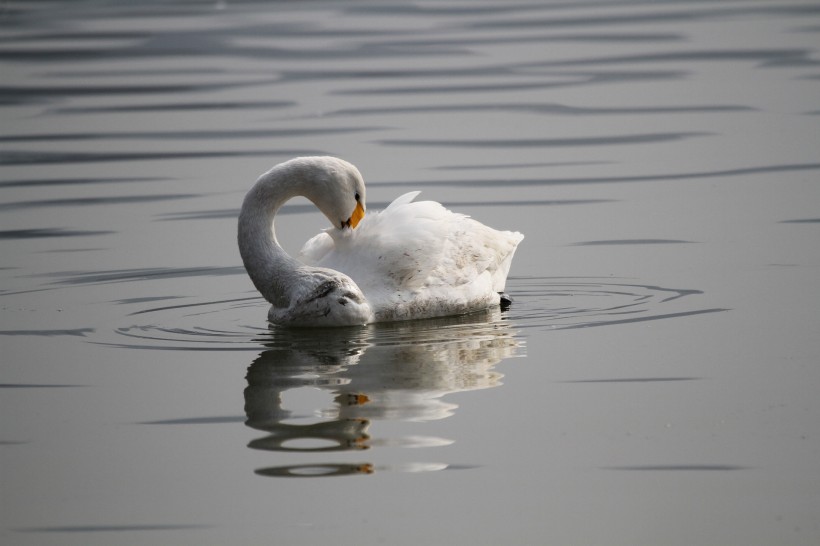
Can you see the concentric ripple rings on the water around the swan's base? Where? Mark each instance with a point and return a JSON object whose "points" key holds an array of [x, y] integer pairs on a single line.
{"points": [[554, 303]]}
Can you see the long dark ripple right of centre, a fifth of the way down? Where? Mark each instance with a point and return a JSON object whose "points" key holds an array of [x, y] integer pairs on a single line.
{"points": [[538, 108]]}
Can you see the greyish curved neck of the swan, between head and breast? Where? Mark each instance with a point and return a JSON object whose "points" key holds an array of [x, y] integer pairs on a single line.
{"points": [[271, 269]]}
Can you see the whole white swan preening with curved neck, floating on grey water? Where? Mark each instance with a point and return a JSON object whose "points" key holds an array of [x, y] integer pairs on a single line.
{"points": [[413, 260]]}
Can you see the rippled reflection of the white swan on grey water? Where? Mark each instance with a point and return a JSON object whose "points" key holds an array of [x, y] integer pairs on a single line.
{"points": [[387, 372]]}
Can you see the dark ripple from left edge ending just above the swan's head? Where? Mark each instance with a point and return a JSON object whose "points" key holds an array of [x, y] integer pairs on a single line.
{"points": [[14, 158]]}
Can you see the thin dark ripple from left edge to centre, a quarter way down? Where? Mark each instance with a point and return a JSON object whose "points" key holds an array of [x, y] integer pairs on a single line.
{"points": [[187, 135]]}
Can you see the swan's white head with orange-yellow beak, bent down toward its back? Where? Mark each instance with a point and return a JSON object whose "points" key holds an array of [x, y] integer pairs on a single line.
{"points": [[335, 187]]}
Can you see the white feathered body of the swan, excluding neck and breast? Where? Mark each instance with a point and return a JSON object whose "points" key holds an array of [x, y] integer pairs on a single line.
{"points": [[419, 260]]}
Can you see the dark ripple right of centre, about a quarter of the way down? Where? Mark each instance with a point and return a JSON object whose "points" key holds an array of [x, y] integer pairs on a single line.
{"points": [[650, 138]]}
